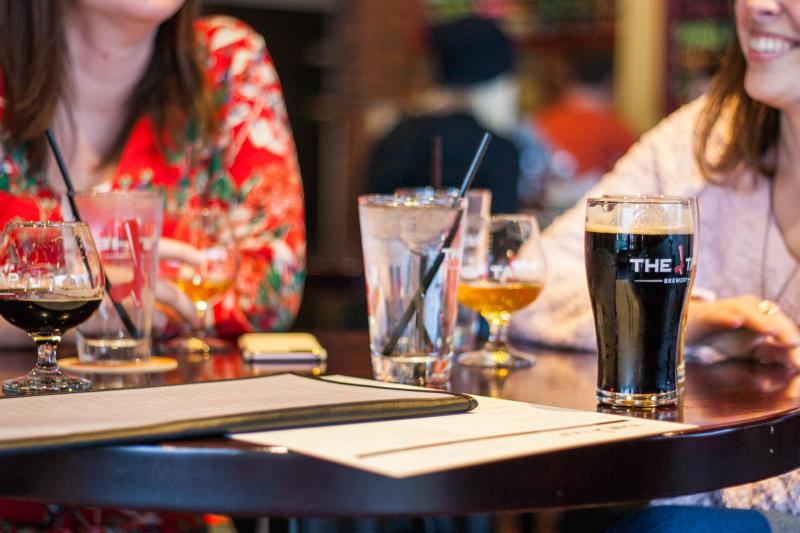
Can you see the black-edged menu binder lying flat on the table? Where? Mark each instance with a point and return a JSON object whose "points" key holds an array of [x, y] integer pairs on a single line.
{"points": [[210, 408]]}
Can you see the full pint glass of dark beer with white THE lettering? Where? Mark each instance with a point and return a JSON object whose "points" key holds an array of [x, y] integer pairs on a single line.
{"points": [[639, 266]]}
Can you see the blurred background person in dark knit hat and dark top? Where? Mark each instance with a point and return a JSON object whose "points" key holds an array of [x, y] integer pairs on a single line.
{"points": [[476, 92]]}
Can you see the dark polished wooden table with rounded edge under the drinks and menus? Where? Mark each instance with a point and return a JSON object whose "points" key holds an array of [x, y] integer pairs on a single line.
{"points": [[749, 429]]}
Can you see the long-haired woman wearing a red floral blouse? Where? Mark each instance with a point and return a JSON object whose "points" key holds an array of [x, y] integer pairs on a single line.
{"points": [[143, 94]]}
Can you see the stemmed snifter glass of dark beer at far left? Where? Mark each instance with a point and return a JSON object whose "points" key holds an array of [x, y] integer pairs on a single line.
{"points": [[50, 281]]}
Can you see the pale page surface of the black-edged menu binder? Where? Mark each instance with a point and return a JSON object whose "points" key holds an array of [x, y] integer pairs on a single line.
{"points": [[70, 414]]}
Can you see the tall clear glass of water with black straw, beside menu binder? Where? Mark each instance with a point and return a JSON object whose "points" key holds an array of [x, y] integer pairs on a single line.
{"points": [[402, 239]]}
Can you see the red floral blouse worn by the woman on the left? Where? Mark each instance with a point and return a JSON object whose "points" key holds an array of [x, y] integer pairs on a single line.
{"points": [[250, 167]]}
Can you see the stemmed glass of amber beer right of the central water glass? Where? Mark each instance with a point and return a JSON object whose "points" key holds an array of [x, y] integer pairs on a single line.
{"points": [[513, 278]]}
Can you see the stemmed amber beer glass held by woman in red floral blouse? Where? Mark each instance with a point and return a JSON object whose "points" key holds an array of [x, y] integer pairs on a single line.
{"points": [[204, 273]]}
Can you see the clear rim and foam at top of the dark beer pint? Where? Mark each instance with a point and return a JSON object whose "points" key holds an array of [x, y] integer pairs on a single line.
{"points": [[640, 214]]}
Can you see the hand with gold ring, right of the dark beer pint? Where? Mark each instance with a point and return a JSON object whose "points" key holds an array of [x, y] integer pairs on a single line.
{"points": [[745, 326]]}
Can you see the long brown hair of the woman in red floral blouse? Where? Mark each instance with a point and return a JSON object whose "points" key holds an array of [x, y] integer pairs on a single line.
{"points": [[33, 63]]}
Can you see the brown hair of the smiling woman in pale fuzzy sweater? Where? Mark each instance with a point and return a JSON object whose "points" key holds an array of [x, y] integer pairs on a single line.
{"points": [[752, 126]]}
